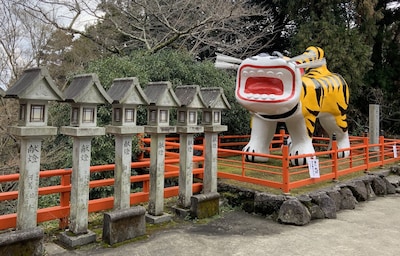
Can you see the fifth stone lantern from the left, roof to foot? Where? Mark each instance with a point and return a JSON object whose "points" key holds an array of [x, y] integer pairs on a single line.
{"points": [[191, 102]]}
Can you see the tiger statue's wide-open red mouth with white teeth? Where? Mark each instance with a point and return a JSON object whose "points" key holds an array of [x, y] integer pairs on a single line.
{"points": [[265, 84]]}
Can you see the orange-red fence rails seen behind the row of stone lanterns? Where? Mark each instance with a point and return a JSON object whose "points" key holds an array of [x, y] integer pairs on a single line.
{"points": [[61, 211]]}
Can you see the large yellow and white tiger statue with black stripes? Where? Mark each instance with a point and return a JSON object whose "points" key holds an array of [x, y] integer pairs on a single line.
{"points": [[295, 91]]}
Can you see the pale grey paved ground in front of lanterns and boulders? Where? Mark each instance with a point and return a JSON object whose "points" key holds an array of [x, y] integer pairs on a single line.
{"points": [[372, 228]]}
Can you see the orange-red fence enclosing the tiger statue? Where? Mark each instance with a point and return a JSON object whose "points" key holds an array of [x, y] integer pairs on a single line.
{"points": [[278, 173]]}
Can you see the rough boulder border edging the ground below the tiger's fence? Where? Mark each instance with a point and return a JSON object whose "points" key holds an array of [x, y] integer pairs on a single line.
{"points": [[320, 204]]}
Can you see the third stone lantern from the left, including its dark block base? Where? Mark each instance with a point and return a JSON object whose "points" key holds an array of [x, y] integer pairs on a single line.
{"points": [[124, 222]]}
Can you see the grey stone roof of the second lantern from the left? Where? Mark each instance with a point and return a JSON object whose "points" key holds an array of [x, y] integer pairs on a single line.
{"points": [[86, 88]]}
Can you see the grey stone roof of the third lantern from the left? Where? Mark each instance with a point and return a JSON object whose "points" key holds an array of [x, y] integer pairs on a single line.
{"points": [[127, 91]]}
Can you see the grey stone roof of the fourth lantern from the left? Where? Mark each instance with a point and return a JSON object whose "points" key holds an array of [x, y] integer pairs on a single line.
{"points": [[161, 94]]}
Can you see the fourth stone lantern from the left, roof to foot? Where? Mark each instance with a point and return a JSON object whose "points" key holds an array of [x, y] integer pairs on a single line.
{"points": [[161, 98]]}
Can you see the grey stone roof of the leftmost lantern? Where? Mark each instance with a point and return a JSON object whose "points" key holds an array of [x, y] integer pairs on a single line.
{"points": [[35, 84]]}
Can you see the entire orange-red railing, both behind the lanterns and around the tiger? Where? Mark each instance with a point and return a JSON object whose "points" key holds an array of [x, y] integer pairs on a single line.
{"points": [[277, 174]]}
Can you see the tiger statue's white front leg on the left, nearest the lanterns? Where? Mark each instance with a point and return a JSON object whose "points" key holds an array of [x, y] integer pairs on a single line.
{"points": [[262, 133]]}
